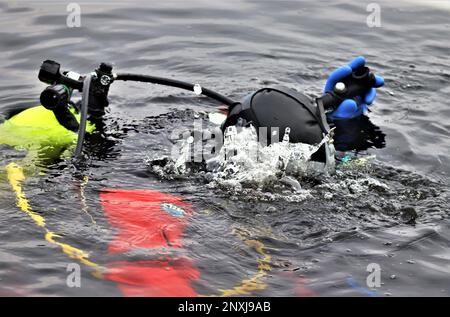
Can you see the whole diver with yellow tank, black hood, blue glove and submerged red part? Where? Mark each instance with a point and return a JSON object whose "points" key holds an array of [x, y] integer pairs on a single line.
{"points": [[49, 129]]}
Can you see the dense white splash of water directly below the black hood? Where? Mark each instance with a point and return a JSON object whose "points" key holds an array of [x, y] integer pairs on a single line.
{"points": [[244, 160]]}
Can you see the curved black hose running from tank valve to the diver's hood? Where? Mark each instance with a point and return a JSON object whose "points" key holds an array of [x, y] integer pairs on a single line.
{"points": [[176, 83]]}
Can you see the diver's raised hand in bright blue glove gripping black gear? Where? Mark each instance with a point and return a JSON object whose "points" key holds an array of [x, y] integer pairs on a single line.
{"points": [[350, 108]]}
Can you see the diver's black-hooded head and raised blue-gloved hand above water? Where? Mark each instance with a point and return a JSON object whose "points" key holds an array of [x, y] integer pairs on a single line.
{"points": [[348, 93]]}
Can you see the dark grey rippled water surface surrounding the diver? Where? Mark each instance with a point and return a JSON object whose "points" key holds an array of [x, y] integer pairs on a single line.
{"points": [[317, 246]]}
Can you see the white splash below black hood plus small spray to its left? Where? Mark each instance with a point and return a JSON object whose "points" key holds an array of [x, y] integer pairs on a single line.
{"points": [[243, 162]]}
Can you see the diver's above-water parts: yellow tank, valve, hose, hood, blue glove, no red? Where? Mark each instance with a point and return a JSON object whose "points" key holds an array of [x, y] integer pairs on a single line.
{"points": [[348, 93]]}
